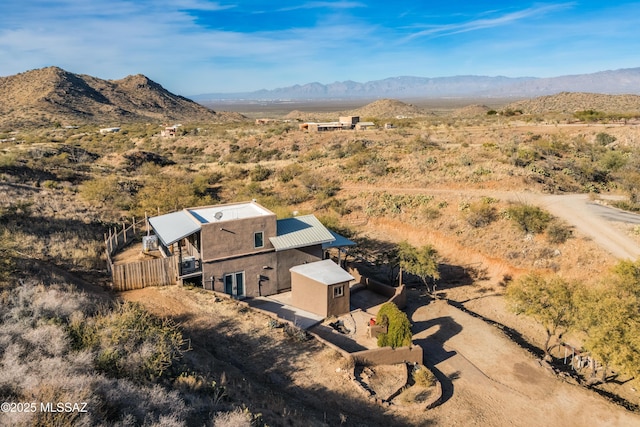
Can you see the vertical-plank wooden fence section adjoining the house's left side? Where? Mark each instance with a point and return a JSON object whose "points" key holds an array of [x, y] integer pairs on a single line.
{"points": [[138, 275]]}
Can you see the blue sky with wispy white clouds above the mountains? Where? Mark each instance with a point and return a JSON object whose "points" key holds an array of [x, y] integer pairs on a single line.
{"points": [[200, 46]]}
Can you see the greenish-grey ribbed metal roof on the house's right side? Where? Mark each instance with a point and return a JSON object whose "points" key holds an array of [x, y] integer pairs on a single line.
{"points": [[300, 231]]}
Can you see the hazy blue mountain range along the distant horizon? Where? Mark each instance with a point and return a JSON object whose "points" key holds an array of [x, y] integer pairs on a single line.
{"points": [[623, 81]]}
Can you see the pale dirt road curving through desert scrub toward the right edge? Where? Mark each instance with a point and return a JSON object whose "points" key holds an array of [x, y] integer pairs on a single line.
{"points": [[589, 218]]}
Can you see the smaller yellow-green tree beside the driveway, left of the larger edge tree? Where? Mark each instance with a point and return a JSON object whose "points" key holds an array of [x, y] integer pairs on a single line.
{"points": [[550, 302]]}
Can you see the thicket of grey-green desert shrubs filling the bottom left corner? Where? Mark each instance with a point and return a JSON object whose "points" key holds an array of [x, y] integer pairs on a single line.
{"points": [[40, 362]]}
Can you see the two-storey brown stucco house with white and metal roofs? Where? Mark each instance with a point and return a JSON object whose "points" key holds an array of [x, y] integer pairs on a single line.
{"points": [[240, 249]]}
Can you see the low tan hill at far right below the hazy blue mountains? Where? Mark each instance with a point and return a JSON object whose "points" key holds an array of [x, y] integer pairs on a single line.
{"points": [[570, 102]]}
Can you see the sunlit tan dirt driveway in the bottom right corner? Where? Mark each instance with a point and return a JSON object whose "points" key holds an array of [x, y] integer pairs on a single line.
{"points": [[490, 381]]}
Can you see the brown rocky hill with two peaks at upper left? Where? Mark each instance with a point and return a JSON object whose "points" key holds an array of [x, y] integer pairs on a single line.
{"points": [[50, 95]]}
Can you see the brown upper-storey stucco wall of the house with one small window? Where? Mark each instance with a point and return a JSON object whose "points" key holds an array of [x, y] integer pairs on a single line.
{"points": [[235, 237]]}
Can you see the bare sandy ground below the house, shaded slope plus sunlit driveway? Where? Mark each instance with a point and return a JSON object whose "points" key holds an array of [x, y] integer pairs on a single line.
{"points": [[487, 379]]}
